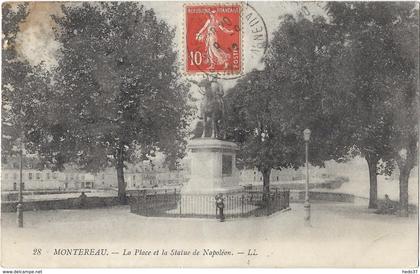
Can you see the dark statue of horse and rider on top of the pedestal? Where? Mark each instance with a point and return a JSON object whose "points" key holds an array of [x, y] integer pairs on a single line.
{"points": [[212, 109]]}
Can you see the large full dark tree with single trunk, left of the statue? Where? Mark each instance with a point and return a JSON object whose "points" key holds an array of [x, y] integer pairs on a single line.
{"points": [[119, 88]]}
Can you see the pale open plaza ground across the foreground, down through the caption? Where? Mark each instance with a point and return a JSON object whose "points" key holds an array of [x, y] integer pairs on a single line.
{"points": [[342, 234]]}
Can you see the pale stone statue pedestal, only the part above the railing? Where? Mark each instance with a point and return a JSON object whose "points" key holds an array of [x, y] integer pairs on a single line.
{"points": [[213, 168]]}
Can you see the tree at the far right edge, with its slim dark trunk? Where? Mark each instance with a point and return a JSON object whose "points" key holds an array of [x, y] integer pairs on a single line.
{"points": [[404, 103]]}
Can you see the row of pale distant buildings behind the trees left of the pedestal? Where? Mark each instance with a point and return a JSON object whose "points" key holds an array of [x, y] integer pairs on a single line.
{"points": [[147, 174]]}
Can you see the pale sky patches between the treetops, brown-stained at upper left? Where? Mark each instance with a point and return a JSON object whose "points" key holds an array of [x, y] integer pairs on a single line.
{"points": [[36, 41]]}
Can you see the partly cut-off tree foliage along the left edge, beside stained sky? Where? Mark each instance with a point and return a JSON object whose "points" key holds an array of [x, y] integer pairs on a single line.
{"points": [[24, 88]]}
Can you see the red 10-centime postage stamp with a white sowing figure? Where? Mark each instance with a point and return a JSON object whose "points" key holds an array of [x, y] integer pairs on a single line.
{"points": [[213, 38]]}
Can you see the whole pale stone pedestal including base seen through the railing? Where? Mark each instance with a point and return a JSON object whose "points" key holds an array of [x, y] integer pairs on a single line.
{"points": [[213, 171]]}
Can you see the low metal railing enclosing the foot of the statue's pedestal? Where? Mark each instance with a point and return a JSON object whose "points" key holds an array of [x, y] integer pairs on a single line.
{"points": [[235, 205]]}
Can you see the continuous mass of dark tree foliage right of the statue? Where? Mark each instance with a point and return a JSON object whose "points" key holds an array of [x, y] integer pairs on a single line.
{"points": [[351, 79]]}
